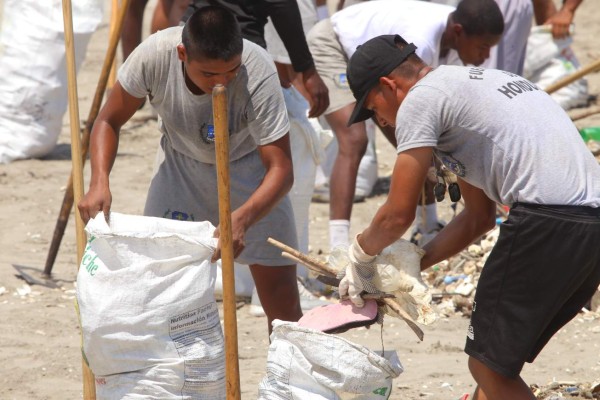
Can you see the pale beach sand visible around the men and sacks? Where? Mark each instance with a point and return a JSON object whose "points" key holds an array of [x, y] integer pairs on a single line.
{"points": [[39, 333]]}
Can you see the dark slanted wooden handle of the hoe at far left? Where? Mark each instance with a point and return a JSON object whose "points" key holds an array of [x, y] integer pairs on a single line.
{"points": [[67, 203]]}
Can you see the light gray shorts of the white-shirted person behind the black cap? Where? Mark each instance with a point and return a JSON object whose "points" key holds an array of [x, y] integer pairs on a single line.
{"points": [[331, 64]]}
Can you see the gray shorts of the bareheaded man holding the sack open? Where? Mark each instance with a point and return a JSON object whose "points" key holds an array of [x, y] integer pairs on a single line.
{"points": [[185, 189]]}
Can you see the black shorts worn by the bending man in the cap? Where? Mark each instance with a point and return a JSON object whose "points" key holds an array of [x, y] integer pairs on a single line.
{"points": [[544, 268]]}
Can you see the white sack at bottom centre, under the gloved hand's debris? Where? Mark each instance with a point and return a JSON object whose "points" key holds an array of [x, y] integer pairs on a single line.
{"points": [[305, 364]]}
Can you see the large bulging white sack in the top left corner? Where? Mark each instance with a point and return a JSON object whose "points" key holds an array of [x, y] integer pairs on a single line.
{"points": [[33, 77]]}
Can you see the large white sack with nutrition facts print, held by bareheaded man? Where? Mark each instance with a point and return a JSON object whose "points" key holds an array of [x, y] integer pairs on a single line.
{"points": [[150, 323]]}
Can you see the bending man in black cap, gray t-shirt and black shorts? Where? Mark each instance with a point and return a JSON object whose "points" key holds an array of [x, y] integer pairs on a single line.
{"points": [[508, 142]]}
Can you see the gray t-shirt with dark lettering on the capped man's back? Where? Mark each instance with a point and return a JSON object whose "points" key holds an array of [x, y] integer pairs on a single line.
{"points": [[501, 133]]}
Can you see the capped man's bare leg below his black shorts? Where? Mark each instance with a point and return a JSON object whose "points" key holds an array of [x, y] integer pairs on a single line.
{"points": [[493, 386]]}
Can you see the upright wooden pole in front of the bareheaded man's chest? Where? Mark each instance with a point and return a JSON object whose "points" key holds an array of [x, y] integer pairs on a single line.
{"points": [[220, 117]]}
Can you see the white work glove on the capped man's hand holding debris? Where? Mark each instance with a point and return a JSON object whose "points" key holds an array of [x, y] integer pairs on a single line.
{"points": [[358, 274]]}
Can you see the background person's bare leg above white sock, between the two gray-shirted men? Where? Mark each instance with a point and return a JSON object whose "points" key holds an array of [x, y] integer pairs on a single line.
{"points": [[352, 142]]}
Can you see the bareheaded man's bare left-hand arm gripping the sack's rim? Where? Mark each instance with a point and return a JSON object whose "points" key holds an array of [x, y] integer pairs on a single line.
{"points": [[104, 141]]}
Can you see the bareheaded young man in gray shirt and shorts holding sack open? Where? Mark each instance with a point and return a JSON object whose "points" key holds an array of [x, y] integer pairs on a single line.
{"points": [[177, 68]]}
